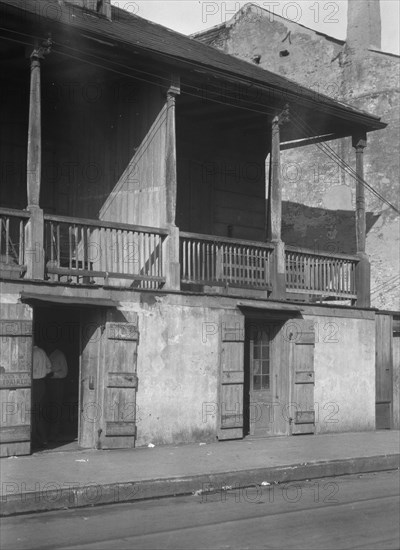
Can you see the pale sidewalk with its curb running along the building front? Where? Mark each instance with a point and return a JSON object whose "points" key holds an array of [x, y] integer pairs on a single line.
{"points": [[68, 479]]}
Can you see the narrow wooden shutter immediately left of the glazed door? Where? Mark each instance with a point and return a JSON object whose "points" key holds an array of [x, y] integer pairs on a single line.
{"points": [[231, 378]]}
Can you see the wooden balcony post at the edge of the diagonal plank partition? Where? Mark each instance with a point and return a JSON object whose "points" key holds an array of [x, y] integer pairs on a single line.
{"points": [[172, 266]]}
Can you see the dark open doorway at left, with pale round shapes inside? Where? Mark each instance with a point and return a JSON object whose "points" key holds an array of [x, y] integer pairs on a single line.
{"points": [[58, 328]]}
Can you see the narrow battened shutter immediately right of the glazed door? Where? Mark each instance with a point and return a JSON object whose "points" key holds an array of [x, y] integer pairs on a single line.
{"points": [[302, 344]]}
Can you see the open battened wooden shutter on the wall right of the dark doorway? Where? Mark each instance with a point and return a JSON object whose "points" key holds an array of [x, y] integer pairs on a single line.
{"points": [[120, 381]]}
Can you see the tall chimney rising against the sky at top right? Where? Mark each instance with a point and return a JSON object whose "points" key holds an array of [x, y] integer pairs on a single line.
{"points": [[363, 24]]}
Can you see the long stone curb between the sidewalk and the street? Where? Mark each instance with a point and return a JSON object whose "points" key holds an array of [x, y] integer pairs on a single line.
{"points": [[56, 496]]}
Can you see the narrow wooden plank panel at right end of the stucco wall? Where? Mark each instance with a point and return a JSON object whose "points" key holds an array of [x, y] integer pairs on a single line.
{"points": [[383, 371]]}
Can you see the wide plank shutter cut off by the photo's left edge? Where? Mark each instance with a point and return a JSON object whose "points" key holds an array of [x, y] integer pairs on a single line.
{"points": [[15, 379]]}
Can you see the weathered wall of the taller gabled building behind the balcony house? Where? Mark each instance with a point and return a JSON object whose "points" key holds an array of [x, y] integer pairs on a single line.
{"points": [[362, 77]]}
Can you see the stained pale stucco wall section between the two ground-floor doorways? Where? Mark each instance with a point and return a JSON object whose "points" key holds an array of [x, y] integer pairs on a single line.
{"points": [[177, 371]]}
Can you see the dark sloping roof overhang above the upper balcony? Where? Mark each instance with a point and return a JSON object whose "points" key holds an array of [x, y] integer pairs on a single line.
{"points": [[134, 36]]}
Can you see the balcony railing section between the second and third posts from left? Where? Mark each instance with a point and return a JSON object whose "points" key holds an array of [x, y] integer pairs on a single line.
{"points": [[208, 260]]}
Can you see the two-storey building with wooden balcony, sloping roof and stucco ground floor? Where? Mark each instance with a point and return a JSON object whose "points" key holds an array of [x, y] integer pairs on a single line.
{"points": [[137, 239]]}
